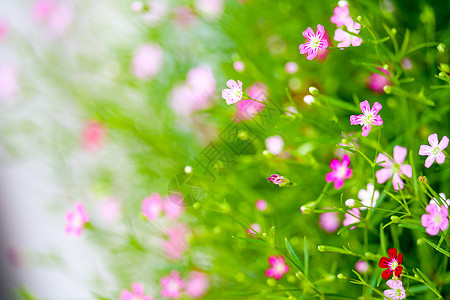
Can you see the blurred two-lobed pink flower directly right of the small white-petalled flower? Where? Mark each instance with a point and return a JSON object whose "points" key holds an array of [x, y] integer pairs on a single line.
{"points": [[248, 109]]}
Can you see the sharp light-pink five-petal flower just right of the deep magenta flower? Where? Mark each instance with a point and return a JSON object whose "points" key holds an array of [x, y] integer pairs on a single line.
{"points": [[393, 168]]}
